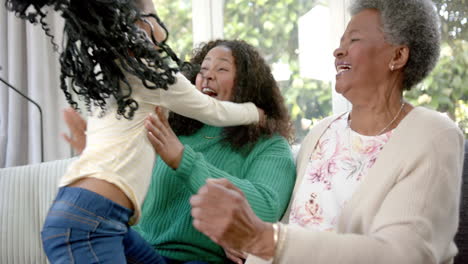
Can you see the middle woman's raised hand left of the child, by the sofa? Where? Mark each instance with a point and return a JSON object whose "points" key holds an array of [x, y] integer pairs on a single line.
{"points": [[77, 126]]}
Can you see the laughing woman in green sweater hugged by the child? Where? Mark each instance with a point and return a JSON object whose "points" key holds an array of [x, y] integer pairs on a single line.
{"points": [[257, 159]]}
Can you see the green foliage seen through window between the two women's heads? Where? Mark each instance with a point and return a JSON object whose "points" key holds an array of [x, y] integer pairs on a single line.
{"points": [[272, 27]]}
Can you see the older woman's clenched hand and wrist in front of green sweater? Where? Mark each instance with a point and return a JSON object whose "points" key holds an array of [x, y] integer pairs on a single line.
{"points": [[221, 211]]}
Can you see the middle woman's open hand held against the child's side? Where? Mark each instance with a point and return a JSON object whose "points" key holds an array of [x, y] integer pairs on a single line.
{"points": [[163, 139]]}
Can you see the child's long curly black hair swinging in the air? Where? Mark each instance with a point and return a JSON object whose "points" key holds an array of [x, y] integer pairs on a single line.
{"points": [[102, 41]]}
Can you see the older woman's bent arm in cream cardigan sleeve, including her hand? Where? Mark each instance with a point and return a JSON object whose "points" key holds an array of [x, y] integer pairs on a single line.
{"points": [[415, 223]]}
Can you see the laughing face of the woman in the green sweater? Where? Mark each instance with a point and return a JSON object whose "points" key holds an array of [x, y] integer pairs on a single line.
{"points": [[217, 74]]}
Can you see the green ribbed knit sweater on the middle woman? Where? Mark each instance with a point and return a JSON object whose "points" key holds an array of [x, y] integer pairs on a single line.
{"points": [[266, 175]]}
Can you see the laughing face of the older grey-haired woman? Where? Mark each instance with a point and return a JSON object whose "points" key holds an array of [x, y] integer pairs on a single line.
{"points": [[363, 58]]}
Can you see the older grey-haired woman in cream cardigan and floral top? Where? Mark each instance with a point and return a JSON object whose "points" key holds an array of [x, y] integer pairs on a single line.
{"points": [[380, 184]]}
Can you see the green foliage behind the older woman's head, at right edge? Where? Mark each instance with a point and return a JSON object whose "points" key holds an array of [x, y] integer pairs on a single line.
{"points": [[446, 89]]}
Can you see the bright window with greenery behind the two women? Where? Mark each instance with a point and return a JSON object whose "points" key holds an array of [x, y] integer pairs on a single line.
{"points": [[297, 38]]}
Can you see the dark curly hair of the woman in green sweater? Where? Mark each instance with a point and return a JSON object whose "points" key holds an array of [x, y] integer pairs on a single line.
{"points": [[255, 83]]}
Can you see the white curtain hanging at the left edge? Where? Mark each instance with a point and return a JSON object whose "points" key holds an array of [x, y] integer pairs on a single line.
{"points": [[29, 63]]}
